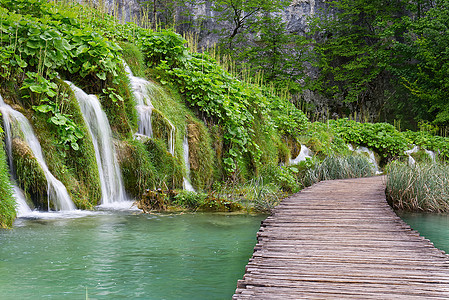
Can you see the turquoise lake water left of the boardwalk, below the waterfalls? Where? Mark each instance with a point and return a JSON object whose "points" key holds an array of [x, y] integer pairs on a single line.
{"points": [[121, 255]]}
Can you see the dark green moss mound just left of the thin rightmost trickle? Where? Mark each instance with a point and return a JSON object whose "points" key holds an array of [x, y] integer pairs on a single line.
{"points": [[169, 172]]}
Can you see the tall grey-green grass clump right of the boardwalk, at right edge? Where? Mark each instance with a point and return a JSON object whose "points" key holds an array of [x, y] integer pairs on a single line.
{"points": [[422, 187]]}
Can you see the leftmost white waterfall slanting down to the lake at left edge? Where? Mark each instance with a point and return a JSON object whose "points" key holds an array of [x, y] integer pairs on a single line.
{"points": [[57, 193]]}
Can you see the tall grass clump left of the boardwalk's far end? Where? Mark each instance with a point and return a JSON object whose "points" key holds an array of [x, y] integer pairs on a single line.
{"points": [[339, 167]]}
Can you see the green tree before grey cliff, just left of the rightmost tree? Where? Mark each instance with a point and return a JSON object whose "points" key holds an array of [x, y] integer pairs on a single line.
{"points": [[352, 41]]}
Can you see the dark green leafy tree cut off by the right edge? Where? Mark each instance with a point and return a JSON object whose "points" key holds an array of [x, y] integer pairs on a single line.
{"points": [[425, 70]]}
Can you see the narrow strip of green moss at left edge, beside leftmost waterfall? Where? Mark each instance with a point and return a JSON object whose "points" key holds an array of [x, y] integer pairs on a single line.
{"points": [[7, 201]]}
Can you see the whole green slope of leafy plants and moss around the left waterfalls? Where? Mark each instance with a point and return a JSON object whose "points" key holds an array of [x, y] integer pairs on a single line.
{"points": [[234, 129]]}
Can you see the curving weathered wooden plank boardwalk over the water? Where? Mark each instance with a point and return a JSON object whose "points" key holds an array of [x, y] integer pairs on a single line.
{"points": [[340, 240]]}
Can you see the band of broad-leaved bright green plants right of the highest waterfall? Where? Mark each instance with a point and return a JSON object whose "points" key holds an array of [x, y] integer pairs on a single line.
{"points": [[217, 95]]}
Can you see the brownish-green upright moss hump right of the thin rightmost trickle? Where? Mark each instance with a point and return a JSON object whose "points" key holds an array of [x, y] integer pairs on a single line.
{"points": [[201, 154]]}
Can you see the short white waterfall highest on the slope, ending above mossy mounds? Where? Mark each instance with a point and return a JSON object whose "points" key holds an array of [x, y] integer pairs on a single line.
{"points": [[144, 106]]}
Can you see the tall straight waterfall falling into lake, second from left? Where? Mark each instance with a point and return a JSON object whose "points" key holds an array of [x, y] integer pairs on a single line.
{"points": [[112, 189]]}
